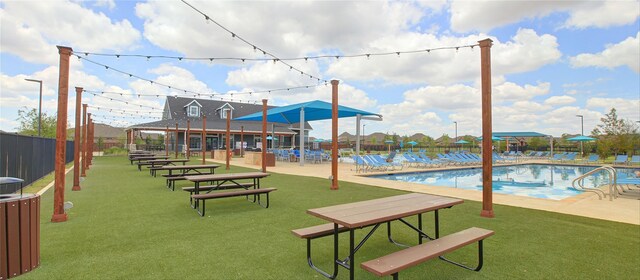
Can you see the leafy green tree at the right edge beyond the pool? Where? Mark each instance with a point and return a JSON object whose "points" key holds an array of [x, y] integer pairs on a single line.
{"points": [[615, 136]]}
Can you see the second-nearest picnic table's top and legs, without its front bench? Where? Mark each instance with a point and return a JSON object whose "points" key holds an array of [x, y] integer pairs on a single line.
{"points": [[219, 180]]}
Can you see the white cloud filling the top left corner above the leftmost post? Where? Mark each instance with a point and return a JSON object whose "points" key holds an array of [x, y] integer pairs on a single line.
{"points": [[31, 31]]}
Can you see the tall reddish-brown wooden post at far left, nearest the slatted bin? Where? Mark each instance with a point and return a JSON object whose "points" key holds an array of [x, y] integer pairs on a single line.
{"points": [[61, 135]]}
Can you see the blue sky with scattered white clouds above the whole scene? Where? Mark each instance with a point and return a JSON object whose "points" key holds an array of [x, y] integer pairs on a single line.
{"points": [[551, 60]]}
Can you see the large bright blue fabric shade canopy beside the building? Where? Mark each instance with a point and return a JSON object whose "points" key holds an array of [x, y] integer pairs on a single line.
{"points": [[313, 111]]}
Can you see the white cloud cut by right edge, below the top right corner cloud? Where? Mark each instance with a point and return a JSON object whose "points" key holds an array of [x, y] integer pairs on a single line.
{"points": [[626, 53]]}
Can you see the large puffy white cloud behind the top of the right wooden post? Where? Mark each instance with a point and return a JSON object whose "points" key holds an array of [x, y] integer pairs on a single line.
{"points": [[526, 51]]}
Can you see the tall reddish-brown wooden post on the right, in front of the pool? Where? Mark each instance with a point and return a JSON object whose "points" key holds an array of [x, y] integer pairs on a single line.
{"points": [[487, 152]]}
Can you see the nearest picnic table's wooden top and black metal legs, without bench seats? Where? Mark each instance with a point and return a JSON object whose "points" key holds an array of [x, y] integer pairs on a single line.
{"points": [[375, 212]]}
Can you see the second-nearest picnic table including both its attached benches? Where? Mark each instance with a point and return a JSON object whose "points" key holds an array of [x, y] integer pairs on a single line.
{"points": [[219, 182]]}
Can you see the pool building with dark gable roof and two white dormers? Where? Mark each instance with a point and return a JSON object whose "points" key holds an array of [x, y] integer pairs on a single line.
{"points": [[183, 112]]}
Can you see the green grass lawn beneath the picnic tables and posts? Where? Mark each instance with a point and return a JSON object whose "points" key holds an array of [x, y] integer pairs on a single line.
{"points": [[126, 225]]}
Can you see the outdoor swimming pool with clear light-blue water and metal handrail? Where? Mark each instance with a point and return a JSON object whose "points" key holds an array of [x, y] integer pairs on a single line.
{"points": [[533, 180]]}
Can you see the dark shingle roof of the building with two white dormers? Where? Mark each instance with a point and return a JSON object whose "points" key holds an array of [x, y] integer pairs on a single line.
{"points": [[175, 112]]}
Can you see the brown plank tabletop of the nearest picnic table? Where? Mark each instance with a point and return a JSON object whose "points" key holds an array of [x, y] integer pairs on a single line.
{"points": [[365, 213]]}
